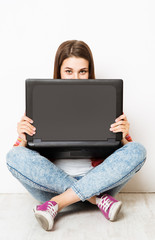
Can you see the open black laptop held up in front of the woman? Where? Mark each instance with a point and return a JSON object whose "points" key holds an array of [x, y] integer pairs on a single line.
{"points": [[73, 116]]}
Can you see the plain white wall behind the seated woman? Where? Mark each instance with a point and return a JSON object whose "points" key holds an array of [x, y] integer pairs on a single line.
{"points": [[121, 35]]}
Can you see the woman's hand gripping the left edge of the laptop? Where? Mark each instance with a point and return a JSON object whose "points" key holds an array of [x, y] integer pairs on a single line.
{"points": [[24, 126]]}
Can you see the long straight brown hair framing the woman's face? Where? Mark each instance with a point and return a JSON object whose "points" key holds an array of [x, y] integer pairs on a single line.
{"points": [[73, 48]]}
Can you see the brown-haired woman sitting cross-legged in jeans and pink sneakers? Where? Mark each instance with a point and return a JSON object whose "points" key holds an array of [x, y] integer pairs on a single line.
{"points": [[61, 182]]}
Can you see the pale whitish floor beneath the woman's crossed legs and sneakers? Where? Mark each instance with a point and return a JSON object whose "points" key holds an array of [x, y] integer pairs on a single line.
{"points": [[81, 221]]}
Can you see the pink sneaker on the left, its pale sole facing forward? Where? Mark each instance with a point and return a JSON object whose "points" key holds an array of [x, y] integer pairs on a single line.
{"points": [[46, 213]]}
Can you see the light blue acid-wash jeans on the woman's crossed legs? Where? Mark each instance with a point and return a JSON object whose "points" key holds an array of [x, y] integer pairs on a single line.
{"points": [[45, 180]]}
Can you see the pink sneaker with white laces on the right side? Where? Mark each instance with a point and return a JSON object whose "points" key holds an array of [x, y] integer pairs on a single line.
{"points": [[109, 206]]}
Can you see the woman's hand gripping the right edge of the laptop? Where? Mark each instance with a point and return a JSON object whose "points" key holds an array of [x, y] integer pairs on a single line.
{"points": [[121, 125]]}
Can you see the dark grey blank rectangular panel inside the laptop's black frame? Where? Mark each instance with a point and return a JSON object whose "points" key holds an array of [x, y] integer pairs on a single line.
{"points": [[73, 112]]}
